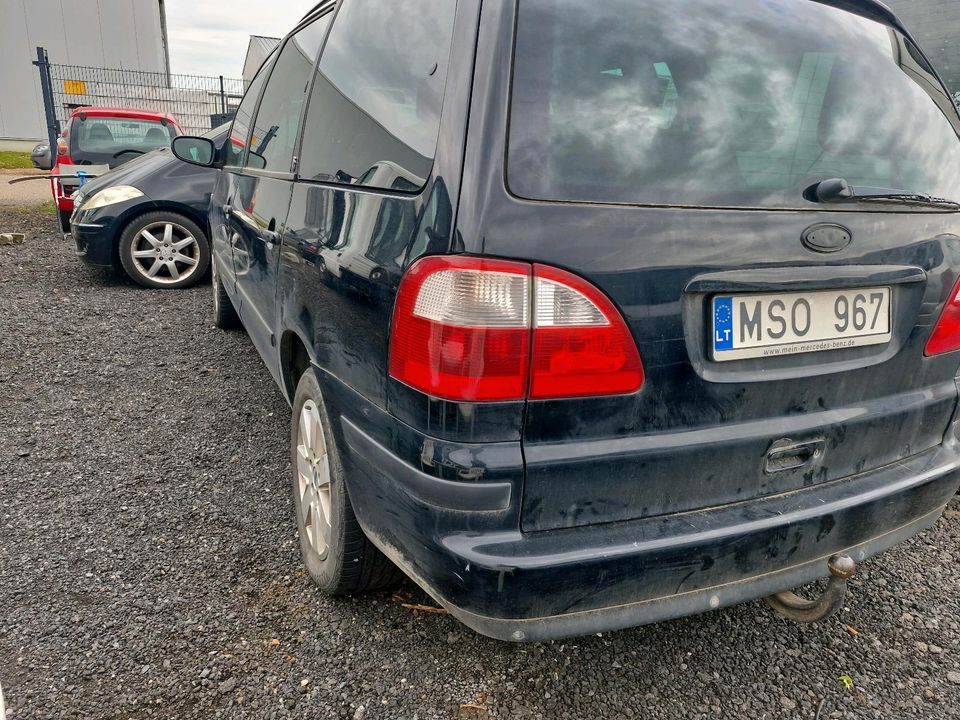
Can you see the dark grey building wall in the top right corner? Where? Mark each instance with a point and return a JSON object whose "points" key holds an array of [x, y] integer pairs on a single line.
{"points": [[935, 24]]}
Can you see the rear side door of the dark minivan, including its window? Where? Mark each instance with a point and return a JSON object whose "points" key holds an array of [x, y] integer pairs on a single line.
{"points": [[261, 187]]}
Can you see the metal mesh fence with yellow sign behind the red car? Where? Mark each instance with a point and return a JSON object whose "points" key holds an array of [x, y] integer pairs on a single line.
{"points": [[198, 102]]}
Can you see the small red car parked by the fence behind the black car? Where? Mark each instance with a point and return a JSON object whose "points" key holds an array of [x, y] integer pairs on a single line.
{"points": [[106, 137]]}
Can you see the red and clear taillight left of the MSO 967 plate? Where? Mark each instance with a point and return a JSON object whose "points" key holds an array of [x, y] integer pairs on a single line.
{"points": [[477, 330]]}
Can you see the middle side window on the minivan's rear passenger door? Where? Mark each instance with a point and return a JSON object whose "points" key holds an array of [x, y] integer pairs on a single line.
{"points": [[275, 131]]}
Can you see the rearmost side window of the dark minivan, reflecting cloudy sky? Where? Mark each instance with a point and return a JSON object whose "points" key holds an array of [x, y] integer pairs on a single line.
{"points": [[374, 113]]}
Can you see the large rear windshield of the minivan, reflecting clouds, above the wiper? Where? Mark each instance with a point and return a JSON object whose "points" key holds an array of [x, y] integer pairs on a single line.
{"points": [[721, 103]]}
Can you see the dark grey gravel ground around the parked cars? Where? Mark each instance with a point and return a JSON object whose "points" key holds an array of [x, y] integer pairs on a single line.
{"points": [[149, 568]]}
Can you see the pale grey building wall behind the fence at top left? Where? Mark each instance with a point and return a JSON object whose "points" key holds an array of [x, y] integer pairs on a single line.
{"points": [[126, 34]]}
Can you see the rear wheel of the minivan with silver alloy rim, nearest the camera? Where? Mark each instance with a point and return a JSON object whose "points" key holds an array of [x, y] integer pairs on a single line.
{"points": [[338, 555]]}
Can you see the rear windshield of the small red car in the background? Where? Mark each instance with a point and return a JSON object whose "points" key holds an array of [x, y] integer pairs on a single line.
{"points": [[106, 137]]}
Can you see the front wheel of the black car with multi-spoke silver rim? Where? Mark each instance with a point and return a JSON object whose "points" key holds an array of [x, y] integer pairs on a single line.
{"points": [[164, 250]]}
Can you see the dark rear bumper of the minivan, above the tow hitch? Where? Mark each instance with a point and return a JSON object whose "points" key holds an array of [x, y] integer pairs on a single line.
{"points": [[460, 540]]}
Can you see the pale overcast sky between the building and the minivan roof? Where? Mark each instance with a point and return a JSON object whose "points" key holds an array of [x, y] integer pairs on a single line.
{"points": [[209, 37]]}
